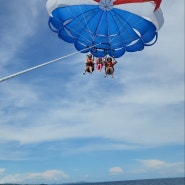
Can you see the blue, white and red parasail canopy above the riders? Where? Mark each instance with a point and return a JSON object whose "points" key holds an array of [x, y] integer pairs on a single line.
{"points": [[104, 27]]}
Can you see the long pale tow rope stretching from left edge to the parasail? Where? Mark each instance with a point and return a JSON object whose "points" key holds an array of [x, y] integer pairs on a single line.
{"points": [[39, 66]]}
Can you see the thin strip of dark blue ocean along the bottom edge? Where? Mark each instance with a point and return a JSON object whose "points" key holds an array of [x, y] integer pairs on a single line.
{"points": [[166, 181]]}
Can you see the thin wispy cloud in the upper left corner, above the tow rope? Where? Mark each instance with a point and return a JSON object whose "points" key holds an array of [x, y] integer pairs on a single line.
{"points": [[19, 24]]}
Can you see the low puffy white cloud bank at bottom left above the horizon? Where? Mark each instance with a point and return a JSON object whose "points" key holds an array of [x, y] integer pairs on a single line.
{"points": [[51, 176]]}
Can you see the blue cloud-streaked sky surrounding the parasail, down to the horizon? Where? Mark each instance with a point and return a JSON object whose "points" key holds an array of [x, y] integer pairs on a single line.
{"points": [[58, 125]]}
